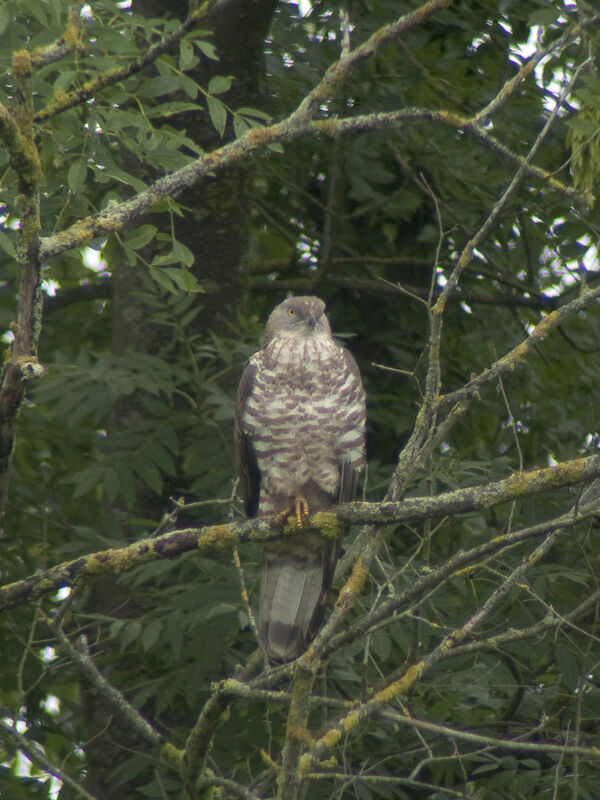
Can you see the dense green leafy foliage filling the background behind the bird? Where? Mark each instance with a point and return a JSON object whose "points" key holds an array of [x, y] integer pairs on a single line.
{"points": [[375, 221]]}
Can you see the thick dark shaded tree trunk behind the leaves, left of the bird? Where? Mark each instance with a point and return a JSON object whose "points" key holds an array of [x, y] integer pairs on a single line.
{"points": [[216, 229]]}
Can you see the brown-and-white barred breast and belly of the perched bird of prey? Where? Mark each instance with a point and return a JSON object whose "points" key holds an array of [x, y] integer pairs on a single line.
{"points": [[305, 417]]}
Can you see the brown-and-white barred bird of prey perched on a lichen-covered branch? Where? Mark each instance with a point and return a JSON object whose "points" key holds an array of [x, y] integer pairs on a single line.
{"points": [[300, 445]]}
